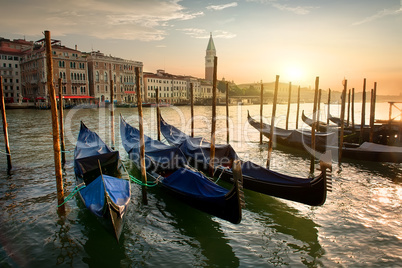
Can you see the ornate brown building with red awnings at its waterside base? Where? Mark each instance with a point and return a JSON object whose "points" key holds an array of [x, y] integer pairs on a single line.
{"points": [[68, 64]]}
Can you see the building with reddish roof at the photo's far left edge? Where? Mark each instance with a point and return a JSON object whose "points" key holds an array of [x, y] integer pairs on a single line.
{"points": [[11, 53]]}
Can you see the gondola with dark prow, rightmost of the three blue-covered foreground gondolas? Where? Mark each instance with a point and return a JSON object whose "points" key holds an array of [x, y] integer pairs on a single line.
{"points": [[310, 191]]}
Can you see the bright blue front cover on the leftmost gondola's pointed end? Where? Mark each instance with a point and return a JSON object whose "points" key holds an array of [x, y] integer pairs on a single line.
{"points": [[94, 193]]}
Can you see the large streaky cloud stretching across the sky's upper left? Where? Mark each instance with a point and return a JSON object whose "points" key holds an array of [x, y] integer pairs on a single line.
{"points": [[145, 20]]}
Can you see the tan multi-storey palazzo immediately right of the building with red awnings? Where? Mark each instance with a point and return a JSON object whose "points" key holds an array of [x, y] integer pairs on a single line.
{"points": [[103, 68]]}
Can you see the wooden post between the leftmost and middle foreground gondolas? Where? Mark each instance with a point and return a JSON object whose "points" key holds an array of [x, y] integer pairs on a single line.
{"points": [[142, 142]]}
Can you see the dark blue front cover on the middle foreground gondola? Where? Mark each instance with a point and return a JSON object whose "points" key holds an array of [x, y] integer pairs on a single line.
{"points": [[194, 184]]}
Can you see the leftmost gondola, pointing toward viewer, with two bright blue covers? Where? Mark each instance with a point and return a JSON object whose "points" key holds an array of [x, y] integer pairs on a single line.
{"points": [[102, 179]]}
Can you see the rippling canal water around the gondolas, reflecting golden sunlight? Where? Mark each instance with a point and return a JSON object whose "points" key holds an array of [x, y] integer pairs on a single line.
{"points": [[358, 226]]}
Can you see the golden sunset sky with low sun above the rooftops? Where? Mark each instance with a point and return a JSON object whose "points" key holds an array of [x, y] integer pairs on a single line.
{"points": [[255, 39]]}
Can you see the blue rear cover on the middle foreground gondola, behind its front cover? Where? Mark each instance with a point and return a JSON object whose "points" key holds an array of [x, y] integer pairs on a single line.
{"points": [[158, 153]]}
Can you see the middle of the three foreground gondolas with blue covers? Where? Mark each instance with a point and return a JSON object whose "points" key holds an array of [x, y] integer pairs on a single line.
{"points": [[168, 166]]}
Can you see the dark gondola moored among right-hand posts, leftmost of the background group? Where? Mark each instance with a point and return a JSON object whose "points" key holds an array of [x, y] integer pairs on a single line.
{"points": [[296, 138]]}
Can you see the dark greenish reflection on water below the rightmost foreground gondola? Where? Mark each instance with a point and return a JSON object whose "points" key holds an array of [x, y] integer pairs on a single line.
{"points": [[283, 232]]}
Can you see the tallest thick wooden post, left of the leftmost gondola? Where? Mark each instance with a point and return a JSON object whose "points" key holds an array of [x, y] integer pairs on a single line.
{"points": [[55, 123]]}
